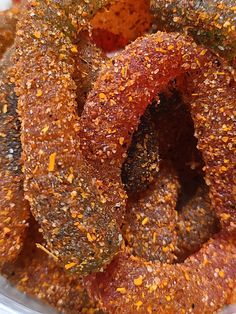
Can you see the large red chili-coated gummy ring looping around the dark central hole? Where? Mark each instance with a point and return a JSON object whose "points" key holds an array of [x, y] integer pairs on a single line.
{"points": [[205, 281]]}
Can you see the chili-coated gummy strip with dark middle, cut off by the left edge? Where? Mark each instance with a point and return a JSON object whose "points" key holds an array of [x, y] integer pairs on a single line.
{"points": [[13, 208]]}
